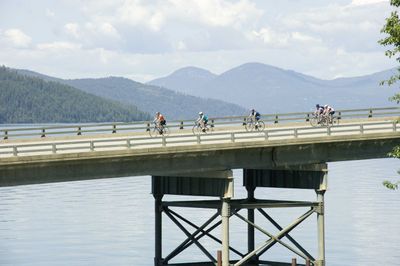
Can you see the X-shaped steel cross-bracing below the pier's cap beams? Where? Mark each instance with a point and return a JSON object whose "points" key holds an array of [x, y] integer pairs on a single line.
{"points": [[251, 257]]}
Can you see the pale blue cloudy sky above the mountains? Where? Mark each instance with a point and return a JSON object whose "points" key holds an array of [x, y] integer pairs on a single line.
{"points": [[147, 39]]}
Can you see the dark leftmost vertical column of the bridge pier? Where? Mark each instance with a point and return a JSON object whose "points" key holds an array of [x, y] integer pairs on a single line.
{"points": [[158, 229]]}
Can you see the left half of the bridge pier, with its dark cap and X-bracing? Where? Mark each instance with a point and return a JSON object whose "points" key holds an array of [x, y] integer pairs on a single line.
{"points": [[216, 183]]}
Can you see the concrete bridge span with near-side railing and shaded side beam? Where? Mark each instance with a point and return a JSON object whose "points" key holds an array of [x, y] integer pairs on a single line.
{"points": [[27, 161]]}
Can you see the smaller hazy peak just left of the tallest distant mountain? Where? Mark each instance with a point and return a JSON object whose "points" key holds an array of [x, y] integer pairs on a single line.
{"points": [[189, 80]]}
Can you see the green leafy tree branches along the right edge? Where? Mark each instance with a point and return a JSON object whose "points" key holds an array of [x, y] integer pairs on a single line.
{"points": [[392, 40]]}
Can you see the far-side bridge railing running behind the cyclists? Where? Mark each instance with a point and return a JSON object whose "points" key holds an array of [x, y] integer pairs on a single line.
{"points": [[142, 126]]}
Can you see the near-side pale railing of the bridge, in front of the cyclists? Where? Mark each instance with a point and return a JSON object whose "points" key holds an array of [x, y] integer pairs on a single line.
{"points": [[132, 142]]}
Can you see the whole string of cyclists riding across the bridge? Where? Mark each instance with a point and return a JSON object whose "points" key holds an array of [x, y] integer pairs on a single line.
{"points": [[321, 111]]}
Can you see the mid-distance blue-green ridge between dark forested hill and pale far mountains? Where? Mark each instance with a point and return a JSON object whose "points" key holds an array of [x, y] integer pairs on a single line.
{"points": [[174, 105]]}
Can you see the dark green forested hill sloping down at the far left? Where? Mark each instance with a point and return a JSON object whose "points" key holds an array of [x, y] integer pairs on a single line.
{"points": [[26, 99]]}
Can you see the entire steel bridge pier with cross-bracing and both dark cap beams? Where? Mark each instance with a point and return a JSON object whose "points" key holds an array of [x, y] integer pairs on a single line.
{"points": [[220, 184]]}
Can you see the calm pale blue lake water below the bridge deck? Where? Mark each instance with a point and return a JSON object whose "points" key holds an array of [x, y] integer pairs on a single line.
{"points": [[110, 221]]}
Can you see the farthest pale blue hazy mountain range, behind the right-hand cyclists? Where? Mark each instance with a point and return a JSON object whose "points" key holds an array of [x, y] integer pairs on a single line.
{"points": [[270, 89]]}
